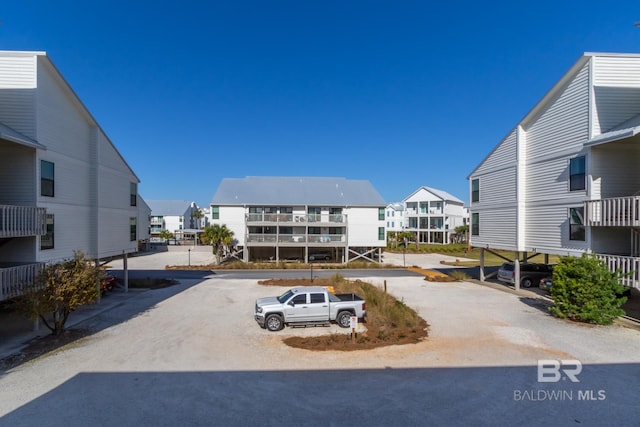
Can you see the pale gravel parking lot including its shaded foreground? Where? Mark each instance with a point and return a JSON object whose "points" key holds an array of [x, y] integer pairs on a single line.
{"points": [[192, 354]]}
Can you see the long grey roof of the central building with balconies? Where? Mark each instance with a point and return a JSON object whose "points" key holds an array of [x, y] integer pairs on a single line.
{"points": [[296, 190]]}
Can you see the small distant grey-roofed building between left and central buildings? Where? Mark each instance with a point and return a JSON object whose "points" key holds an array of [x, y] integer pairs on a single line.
{"points": [[175, 216]]}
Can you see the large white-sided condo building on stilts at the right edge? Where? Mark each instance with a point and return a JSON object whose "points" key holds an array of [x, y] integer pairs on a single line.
{"points": [[565, 179]]}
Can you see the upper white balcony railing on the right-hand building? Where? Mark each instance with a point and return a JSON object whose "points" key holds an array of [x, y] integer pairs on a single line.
{"points": [[614, 212]]}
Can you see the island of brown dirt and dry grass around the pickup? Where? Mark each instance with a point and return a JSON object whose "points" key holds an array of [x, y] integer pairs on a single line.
{"points": [[384, 325]]}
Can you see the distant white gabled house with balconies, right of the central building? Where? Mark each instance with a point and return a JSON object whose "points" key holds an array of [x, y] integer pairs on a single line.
{"points": [[432, 215]]}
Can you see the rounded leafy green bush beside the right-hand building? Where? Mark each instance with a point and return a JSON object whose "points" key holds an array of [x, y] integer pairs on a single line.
{"points": [[584, 289]]}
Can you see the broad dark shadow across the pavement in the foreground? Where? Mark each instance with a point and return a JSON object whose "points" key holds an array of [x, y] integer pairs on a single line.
{"points": [[605, 395]]}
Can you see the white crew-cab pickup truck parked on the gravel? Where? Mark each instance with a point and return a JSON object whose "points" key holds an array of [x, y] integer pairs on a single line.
{"points": [[308, 306]]}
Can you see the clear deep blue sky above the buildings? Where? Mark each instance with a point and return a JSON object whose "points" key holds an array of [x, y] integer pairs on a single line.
{"points": [[401, 93]]}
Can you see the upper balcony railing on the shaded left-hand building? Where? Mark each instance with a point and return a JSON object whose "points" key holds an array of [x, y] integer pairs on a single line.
{"points": [[21, 221]]}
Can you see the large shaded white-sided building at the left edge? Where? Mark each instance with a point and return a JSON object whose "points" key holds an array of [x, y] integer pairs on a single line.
{"points": [[63, 184]]}
